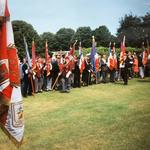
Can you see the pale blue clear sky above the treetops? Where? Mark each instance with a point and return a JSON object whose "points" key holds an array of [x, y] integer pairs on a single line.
{"points": [[51, 15]]}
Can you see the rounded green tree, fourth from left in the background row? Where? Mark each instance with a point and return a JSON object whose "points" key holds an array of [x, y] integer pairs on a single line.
{"points": [[84, 34]]}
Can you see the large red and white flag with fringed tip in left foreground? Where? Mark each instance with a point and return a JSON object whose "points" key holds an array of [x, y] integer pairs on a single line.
{"points": [[11, 107]]}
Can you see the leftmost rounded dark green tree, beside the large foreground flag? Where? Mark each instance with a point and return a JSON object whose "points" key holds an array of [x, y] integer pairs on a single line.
{"points": [[21, 28]]}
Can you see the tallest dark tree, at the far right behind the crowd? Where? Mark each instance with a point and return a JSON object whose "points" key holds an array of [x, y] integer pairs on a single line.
{"points": [[136, 29]]}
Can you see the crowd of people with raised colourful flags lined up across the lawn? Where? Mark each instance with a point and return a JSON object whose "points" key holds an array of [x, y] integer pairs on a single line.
{"points": [[65, 70]]}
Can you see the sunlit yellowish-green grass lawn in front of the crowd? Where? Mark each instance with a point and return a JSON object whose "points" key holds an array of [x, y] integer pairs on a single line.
{"points": [[104, 116]]}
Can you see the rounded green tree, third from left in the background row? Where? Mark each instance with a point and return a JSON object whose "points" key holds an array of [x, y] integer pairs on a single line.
{"points": [[64, 38]]}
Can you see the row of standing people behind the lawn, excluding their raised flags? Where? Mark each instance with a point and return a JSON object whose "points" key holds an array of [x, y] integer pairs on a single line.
{"points": [[62, 73]]}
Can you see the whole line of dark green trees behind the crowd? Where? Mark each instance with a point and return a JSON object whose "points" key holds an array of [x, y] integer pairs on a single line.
{"points": [[136, 29]]}
